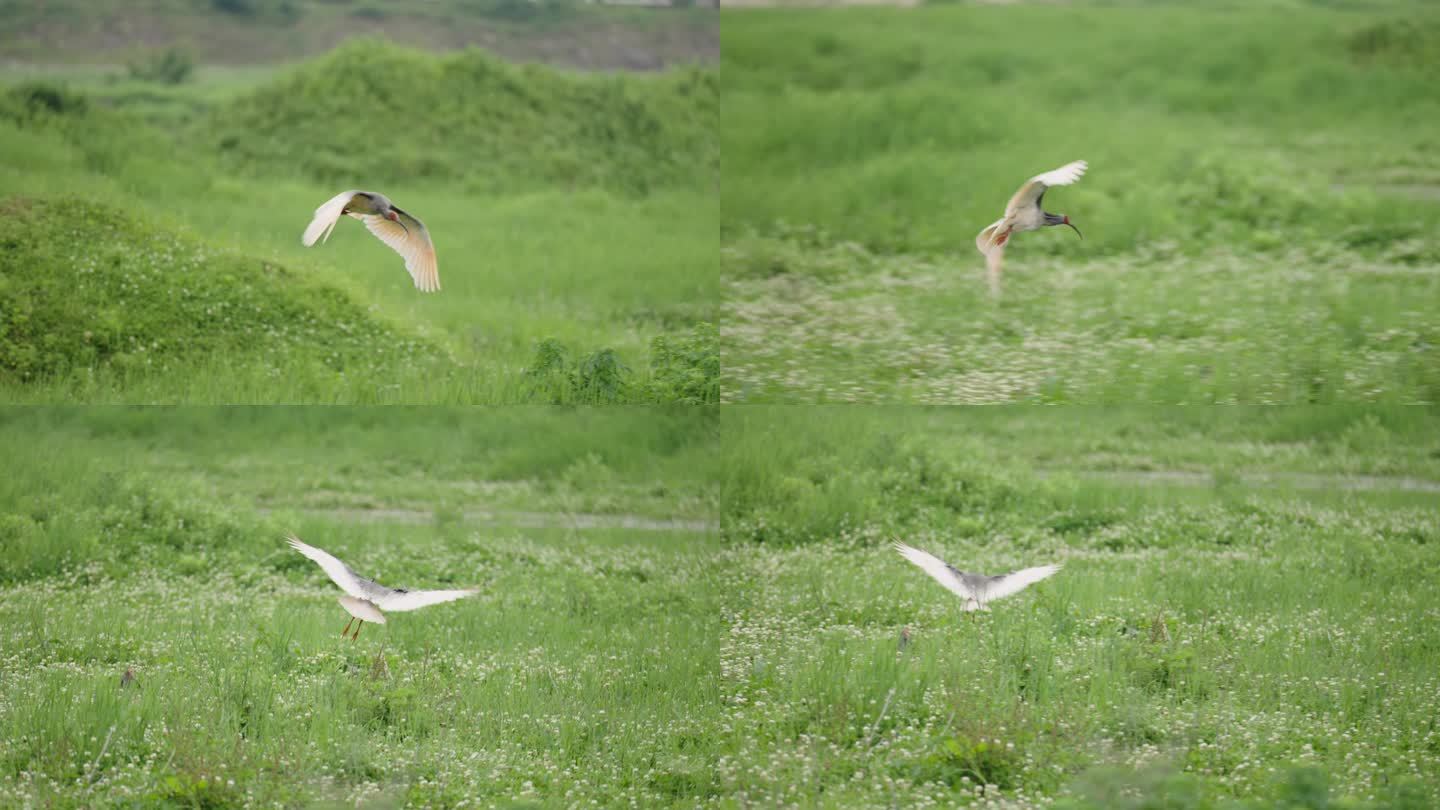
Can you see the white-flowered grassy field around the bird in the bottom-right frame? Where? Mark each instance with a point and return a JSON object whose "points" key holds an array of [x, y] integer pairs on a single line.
{"points": [[1207, 645]]}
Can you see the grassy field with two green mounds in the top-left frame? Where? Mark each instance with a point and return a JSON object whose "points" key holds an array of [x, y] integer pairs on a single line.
{"points": [[575, 221]]}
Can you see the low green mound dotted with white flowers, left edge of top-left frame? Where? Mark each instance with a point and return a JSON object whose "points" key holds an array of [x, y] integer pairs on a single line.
{"points": [[86, 285]]}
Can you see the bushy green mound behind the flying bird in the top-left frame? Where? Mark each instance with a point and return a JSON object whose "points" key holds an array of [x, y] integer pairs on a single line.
{"points": [[385, 113]]}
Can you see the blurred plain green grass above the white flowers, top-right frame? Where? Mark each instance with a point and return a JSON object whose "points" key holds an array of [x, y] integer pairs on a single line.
{"points": [[1251, 128]]}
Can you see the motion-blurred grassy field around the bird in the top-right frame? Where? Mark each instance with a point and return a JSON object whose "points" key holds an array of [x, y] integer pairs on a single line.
{"points": [[1259, 218]]}
